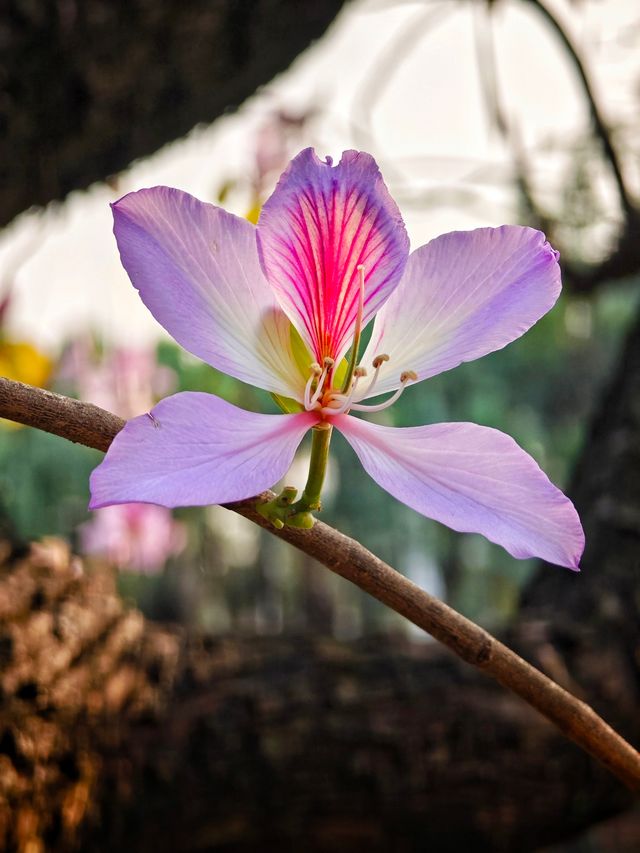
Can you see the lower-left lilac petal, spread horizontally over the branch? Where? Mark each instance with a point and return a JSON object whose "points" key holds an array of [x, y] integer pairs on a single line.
{"points": [[195, 449]]}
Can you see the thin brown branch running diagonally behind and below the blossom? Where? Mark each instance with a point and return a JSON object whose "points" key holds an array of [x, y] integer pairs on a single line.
{"points": [[94, 427]]}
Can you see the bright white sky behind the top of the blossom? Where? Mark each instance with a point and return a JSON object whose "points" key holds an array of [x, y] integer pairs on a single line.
{"points": [[429, 132]]}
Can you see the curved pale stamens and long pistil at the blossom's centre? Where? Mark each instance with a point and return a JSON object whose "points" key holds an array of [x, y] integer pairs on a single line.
{"points": [[320, 394]]}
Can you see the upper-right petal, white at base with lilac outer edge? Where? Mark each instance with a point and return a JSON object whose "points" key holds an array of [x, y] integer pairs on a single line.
{"points": [[463, 295]]}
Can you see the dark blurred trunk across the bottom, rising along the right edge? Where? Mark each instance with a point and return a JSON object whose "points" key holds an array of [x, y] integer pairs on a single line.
{"points": [[120, 735]]}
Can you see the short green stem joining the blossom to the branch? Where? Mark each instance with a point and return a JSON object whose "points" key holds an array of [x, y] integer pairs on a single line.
{"points": [[284, 509]]}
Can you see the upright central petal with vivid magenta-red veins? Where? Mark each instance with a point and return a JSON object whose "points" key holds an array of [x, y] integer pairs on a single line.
{"points": [[319, 225]]}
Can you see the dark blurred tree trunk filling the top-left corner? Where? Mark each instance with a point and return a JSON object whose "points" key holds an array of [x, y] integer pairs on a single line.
{"points": [[89, 87]]}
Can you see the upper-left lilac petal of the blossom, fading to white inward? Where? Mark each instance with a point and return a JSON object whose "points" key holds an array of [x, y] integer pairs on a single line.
{"points": [[197, 270]]}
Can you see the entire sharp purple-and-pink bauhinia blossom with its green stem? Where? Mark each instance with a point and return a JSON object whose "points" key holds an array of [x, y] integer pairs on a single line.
{"points": [[282, 306]]}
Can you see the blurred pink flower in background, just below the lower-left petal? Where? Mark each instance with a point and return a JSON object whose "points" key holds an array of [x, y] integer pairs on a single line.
{"points": [[135, 537]]}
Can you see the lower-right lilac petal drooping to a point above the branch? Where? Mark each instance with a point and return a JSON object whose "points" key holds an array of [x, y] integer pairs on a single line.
{"points": [[473, 479]]}
